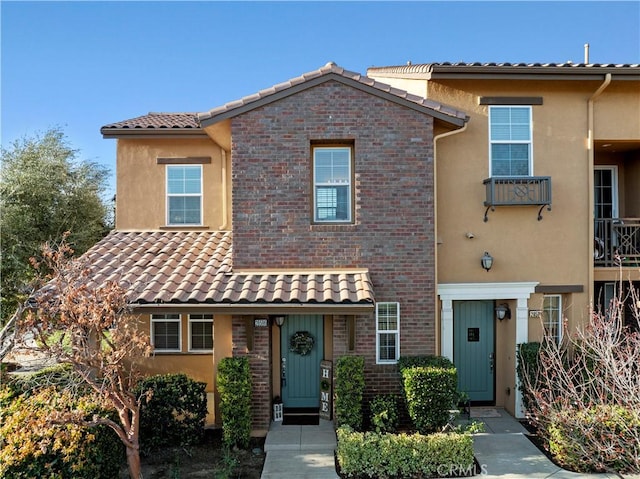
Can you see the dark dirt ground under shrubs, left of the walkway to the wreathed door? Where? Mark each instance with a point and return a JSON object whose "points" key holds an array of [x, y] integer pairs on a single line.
{"points": [[207, 460]]}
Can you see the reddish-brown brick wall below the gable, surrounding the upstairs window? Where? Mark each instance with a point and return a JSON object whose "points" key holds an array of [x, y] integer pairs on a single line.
{"points": [[392, 234]]}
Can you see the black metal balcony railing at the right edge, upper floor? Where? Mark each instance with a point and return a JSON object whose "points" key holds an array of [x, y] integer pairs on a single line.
{"points": [[616, 242]]}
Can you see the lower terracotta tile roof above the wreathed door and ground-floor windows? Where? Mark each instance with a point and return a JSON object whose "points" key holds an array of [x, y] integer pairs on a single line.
{"points": [[188, 267]]}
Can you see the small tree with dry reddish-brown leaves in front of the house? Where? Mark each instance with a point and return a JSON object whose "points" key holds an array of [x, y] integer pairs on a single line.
{"points": [[90, 327]]}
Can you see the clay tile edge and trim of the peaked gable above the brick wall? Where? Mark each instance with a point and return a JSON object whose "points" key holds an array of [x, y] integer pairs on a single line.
{"points": [[330, 70]]}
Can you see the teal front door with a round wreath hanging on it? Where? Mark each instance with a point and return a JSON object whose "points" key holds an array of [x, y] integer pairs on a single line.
{"points": [[301, 369]]}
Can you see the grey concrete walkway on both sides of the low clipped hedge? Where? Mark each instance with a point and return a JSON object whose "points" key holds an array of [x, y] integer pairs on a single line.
{"points": [[503, 451]]}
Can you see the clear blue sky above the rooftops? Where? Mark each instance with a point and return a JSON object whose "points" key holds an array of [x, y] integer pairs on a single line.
{"points": [[81, 65]]}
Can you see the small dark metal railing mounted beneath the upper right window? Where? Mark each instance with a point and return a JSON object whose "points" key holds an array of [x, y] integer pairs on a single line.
{"points": [[518, 191]]}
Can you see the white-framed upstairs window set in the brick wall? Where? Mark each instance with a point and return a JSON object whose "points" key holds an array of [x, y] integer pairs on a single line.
{"points": [[332, 184]]}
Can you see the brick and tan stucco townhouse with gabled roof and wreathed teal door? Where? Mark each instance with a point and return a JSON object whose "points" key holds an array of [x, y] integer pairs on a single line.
{"points": [[303, 211]]}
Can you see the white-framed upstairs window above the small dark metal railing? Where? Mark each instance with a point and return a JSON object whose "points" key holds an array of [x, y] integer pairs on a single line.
{"points": [[510, 139]]}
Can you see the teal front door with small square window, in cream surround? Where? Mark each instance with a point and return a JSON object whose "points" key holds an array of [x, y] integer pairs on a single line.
{"points": [[474, 349]]}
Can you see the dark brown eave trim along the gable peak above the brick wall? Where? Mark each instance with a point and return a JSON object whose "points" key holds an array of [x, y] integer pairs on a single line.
{"points": [[207, 119]]}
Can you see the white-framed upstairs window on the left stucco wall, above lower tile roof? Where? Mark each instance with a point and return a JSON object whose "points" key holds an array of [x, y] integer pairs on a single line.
{"points": [[184, 195]]}
